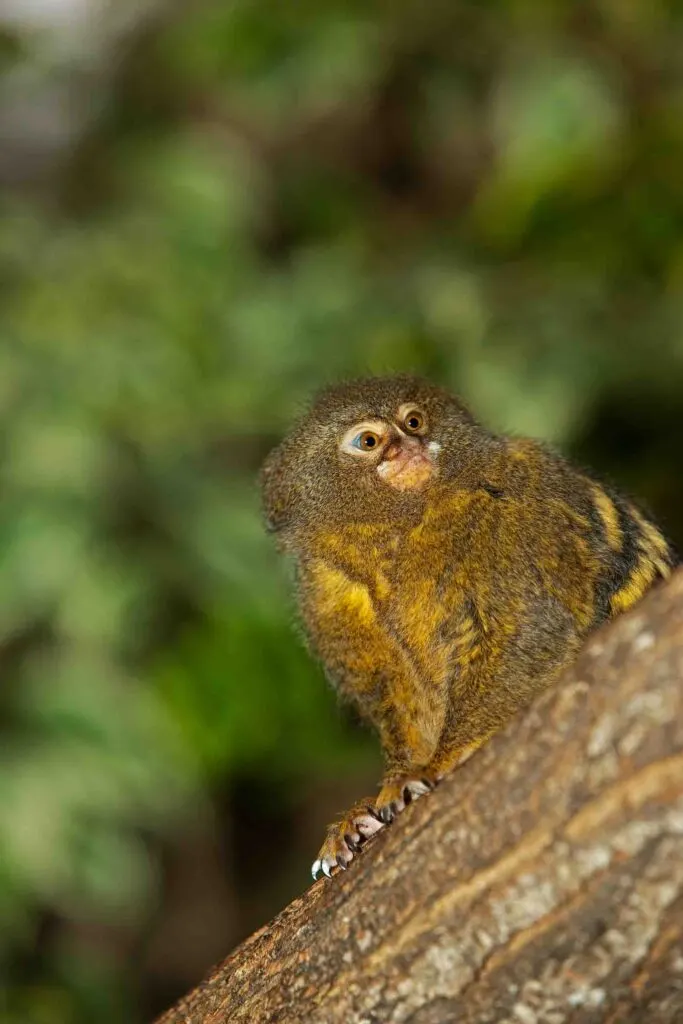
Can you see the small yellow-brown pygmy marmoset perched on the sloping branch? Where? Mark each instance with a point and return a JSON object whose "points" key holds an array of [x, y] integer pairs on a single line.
{"points": [[445, 575]]}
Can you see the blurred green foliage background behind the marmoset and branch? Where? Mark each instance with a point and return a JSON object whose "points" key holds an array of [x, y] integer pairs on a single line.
{"points": [[208, 210]]}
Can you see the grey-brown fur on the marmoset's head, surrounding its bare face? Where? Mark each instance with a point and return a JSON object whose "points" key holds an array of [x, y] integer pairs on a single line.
{"points": [[306, 482]]}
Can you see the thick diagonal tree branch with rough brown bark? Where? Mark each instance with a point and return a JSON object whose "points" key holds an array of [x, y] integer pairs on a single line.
{"points": [[543, 882]]}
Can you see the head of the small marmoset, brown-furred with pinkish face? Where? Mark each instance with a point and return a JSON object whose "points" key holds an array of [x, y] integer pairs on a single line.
{"points": [[367, 451]]}
